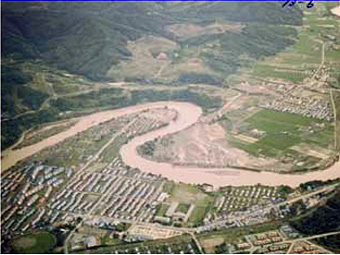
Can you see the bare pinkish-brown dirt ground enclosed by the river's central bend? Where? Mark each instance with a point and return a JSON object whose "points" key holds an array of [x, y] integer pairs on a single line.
{"points": [[204, 145]]}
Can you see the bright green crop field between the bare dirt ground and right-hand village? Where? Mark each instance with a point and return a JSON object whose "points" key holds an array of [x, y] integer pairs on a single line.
{"points": [[284, 130]]}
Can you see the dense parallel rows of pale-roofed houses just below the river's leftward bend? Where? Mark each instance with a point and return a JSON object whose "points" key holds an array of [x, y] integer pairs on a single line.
{"points": [[127, 194]]}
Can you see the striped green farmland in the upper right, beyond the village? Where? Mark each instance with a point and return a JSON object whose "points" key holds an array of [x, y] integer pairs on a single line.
{"points": [[299, 60]]}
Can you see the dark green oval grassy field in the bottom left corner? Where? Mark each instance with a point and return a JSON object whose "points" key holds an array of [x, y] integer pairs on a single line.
{"points": [[34, 243]]}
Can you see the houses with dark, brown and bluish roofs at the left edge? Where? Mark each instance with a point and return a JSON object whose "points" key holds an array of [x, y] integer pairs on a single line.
{"points": [[25, 190]]}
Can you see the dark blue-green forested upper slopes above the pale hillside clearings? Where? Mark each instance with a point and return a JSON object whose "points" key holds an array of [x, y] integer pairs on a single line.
{"points": [[88, 38]]}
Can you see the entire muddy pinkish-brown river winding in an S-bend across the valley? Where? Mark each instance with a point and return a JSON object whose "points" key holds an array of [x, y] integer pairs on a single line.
{"points": [[188, 114]]}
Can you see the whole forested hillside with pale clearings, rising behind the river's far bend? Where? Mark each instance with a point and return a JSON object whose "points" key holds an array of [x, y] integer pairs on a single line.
{"points": [[50, 49]]}
